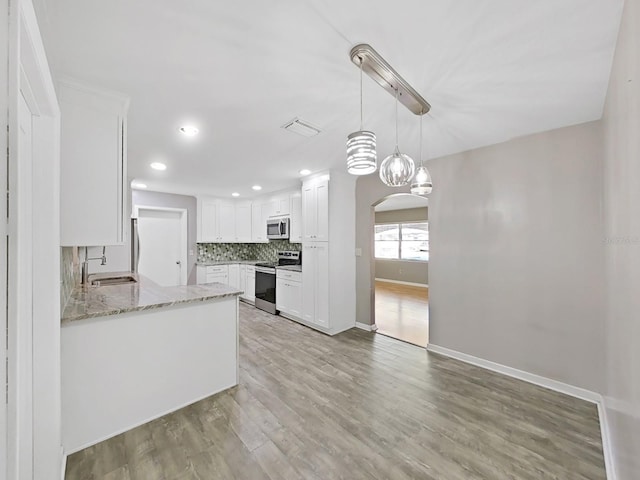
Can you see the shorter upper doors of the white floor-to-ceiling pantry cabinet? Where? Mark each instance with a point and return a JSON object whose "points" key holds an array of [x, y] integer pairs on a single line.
{"points": [[315, 210]]}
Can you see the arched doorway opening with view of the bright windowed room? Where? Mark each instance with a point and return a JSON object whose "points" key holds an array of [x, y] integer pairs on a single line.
{"points": [[401, 264]]}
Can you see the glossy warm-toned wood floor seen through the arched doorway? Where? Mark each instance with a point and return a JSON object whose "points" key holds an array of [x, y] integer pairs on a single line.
{"points": [[402, 312]]}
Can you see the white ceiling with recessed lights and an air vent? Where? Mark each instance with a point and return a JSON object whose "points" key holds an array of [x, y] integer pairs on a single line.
{"points": [[492, 70]]}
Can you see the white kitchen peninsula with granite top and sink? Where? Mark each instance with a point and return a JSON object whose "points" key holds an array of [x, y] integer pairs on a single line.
{"points": [[134, 352]]}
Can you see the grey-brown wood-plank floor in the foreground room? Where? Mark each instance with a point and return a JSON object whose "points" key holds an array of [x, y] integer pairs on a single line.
{"points": [[355, 406]]}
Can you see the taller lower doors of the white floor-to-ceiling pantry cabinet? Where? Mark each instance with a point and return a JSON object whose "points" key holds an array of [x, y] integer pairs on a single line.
{"points": [[315, 283]]}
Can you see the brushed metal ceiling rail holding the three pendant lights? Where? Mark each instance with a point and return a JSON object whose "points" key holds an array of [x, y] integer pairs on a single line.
{"points": [[384, 75]]}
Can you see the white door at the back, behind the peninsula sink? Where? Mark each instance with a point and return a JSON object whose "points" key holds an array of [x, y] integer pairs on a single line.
{"points": [[162, 248]]}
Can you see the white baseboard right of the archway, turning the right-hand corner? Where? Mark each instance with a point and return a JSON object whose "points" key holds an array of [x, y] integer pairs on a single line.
{"points": [[551, 384]]}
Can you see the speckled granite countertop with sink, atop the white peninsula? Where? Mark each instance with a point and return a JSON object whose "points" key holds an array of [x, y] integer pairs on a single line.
{"points": [[89, 302]]}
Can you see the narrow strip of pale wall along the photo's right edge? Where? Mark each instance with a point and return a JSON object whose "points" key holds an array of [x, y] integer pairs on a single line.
{"points": [[621, 123]]}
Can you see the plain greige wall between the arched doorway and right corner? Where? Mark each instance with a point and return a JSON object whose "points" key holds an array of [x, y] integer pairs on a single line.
{"points": [[516, 268]]}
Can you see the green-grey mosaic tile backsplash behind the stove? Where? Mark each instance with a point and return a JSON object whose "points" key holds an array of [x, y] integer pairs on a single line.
{"points": [[208, 252]]}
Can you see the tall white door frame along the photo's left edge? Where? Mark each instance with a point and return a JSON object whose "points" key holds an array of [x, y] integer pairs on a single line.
{"points": [[31, 234]]}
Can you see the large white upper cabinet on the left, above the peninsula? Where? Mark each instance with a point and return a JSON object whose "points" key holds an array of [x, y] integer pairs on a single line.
{"points": [[93, 166]]}
